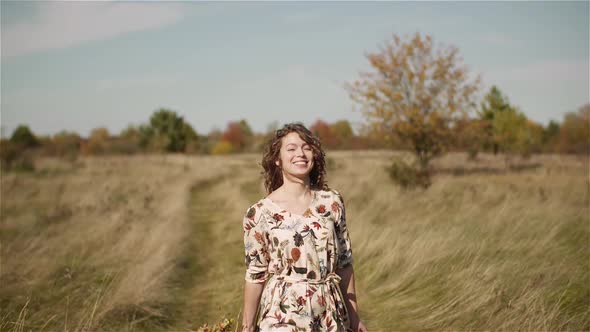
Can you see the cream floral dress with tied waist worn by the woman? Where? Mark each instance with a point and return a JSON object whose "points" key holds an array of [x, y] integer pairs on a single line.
{"points": [[296, 256]]}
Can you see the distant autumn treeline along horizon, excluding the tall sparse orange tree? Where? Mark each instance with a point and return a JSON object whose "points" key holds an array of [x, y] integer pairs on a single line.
{"points": [[497, 128]]}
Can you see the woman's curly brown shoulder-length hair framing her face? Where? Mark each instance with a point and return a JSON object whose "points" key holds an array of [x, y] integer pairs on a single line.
{"points": [[273, 177]]}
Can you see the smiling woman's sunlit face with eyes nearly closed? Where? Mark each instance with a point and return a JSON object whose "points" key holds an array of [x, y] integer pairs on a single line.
{"points": [[295, 156]]}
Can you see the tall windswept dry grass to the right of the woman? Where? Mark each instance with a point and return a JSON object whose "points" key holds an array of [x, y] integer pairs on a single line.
{"points": [[492, 250]]}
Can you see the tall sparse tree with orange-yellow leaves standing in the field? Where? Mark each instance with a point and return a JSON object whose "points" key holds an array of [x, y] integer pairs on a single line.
{"points": [[416, 94]]}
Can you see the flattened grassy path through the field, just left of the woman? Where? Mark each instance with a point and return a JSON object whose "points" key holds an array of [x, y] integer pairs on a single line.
{"points": [[209, 280]]}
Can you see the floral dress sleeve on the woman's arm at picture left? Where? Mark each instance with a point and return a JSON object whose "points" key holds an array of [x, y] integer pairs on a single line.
{"points": [[255, 245]]}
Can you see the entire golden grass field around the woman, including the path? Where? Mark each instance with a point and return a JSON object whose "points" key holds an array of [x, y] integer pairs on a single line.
{"points": [[154, 243]]}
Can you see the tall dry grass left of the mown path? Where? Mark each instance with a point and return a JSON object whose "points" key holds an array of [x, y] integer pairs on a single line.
{"points": [[89, 246]]}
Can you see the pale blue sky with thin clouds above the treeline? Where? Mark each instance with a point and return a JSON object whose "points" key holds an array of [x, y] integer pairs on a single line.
{"points": [[81, 65]]}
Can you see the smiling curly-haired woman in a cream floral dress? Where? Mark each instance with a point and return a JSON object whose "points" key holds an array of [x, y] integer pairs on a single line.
{"points": [[299, 274]]}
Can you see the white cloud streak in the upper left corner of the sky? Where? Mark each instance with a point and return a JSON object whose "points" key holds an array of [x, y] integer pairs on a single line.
{"points": [[63, 24]]}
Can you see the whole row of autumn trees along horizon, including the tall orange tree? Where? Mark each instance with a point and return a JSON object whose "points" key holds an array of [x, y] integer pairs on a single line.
{"points": [[416, 98]]}
